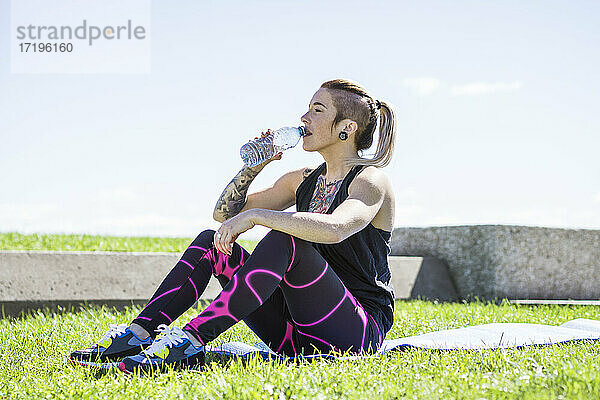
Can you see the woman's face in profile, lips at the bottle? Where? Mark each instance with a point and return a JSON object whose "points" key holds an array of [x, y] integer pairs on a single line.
{"points": [[318, 120]]}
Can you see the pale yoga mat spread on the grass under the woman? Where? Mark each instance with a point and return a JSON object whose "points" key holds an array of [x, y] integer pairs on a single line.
{"points": [[478, 337]]}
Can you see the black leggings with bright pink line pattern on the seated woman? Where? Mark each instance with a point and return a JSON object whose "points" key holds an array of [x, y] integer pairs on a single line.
{"points": [[284, 291]]}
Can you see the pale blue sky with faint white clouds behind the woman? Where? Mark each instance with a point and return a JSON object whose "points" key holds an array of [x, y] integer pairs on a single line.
{"points": [[497, 102]]}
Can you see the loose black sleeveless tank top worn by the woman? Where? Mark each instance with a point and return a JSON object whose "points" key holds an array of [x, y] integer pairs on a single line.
{"points": [[360, 260]]}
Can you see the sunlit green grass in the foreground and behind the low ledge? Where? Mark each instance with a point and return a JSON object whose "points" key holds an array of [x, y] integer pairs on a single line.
{"points": [[33, 352]]}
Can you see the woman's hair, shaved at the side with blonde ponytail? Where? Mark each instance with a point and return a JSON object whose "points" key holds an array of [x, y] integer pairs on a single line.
{"points": [[352, 101]]}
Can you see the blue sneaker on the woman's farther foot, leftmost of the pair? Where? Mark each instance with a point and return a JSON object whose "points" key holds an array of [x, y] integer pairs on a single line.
{"points": [[117, 342]]}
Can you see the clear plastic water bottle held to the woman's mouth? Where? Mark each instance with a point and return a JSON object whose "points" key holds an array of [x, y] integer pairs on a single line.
{"points": [[257, 151]]}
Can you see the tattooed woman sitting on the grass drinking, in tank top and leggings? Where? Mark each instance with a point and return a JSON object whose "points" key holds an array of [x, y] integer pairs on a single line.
{"points": [[319, 280]]}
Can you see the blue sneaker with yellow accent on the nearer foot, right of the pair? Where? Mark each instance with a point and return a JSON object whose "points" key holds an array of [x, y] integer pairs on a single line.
{"points": [[172, 349]]}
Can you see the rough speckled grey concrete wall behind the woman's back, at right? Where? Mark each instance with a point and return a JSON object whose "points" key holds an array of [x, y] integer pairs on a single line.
{"points": [[515, 262]]}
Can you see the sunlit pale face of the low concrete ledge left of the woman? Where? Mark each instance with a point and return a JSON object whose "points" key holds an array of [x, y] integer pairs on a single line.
{"points": [[69, 275]]}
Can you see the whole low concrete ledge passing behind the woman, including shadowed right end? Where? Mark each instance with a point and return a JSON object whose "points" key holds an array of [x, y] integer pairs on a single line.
{"points": [[36, 279]]}
